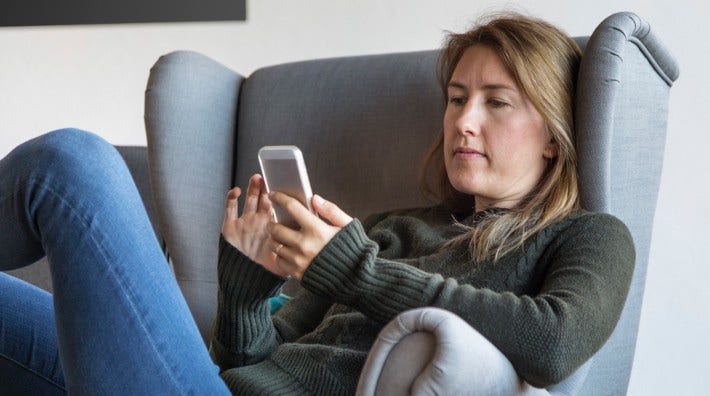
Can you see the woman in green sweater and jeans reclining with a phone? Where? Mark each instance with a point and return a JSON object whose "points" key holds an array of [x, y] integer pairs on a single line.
{"points": [[507, 250]]}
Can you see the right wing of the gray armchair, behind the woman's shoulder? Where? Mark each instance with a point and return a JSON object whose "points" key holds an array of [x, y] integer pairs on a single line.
{"points": [[622, 107]]}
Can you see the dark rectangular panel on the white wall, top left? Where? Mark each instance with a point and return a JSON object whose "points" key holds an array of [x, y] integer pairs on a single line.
{"points": [[80, 12]]}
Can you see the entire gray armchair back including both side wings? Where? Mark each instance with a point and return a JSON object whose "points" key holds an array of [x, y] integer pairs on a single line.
{"points": [[363, 124]]}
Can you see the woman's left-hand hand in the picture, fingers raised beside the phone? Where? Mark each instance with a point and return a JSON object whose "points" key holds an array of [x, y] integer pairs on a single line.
{"points": [[248, 232]]}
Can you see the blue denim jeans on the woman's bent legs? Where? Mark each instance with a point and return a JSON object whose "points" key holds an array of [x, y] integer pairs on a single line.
{"points": [[117, 322]]}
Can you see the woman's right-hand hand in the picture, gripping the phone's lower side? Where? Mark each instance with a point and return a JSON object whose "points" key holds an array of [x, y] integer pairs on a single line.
{"points": [[296, 249]]}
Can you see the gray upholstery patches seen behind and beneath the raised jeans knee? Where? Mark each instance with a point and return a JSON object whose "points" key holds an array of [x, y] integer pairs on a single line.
{"points": [[137, 161]]}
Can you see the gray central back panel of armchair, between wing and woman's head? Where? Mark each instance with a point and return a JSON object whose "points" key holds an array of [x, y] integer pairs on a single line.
{"points": [[362, 123]]}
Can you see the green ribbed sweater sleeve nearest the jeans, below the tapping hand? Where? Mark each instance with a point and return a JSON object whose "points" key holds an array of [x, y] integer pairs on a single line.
{"points": [[243, 332]]}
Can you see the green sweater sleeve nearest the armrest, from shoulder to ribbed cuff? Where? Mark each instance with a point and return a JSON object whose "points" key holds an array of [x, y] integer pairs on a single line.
{"points": [[545, 336]]}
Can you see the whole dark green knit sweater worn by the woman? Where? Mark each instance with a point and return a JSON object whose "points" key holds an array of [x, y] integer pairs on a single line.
{"points": [[547, 306]]}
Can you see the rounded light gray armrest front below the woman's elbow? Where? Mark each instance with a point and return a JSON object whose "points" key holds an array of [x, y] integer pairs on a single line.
{"points": [[432, 351]]}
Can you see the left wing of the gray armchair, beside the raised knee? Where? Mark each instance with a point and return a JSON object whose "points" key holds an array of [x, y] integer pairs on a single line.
{"points": [[190, 115]]}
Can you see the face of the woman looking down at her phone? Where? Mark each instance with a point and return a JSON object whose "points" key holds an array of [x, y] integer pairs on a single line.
{"points": [[495, 144]]}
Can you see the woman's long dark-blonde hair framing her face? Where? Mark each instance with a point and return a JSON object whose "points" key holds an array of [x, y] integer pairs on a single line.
{"points": [[544, 62]]}
